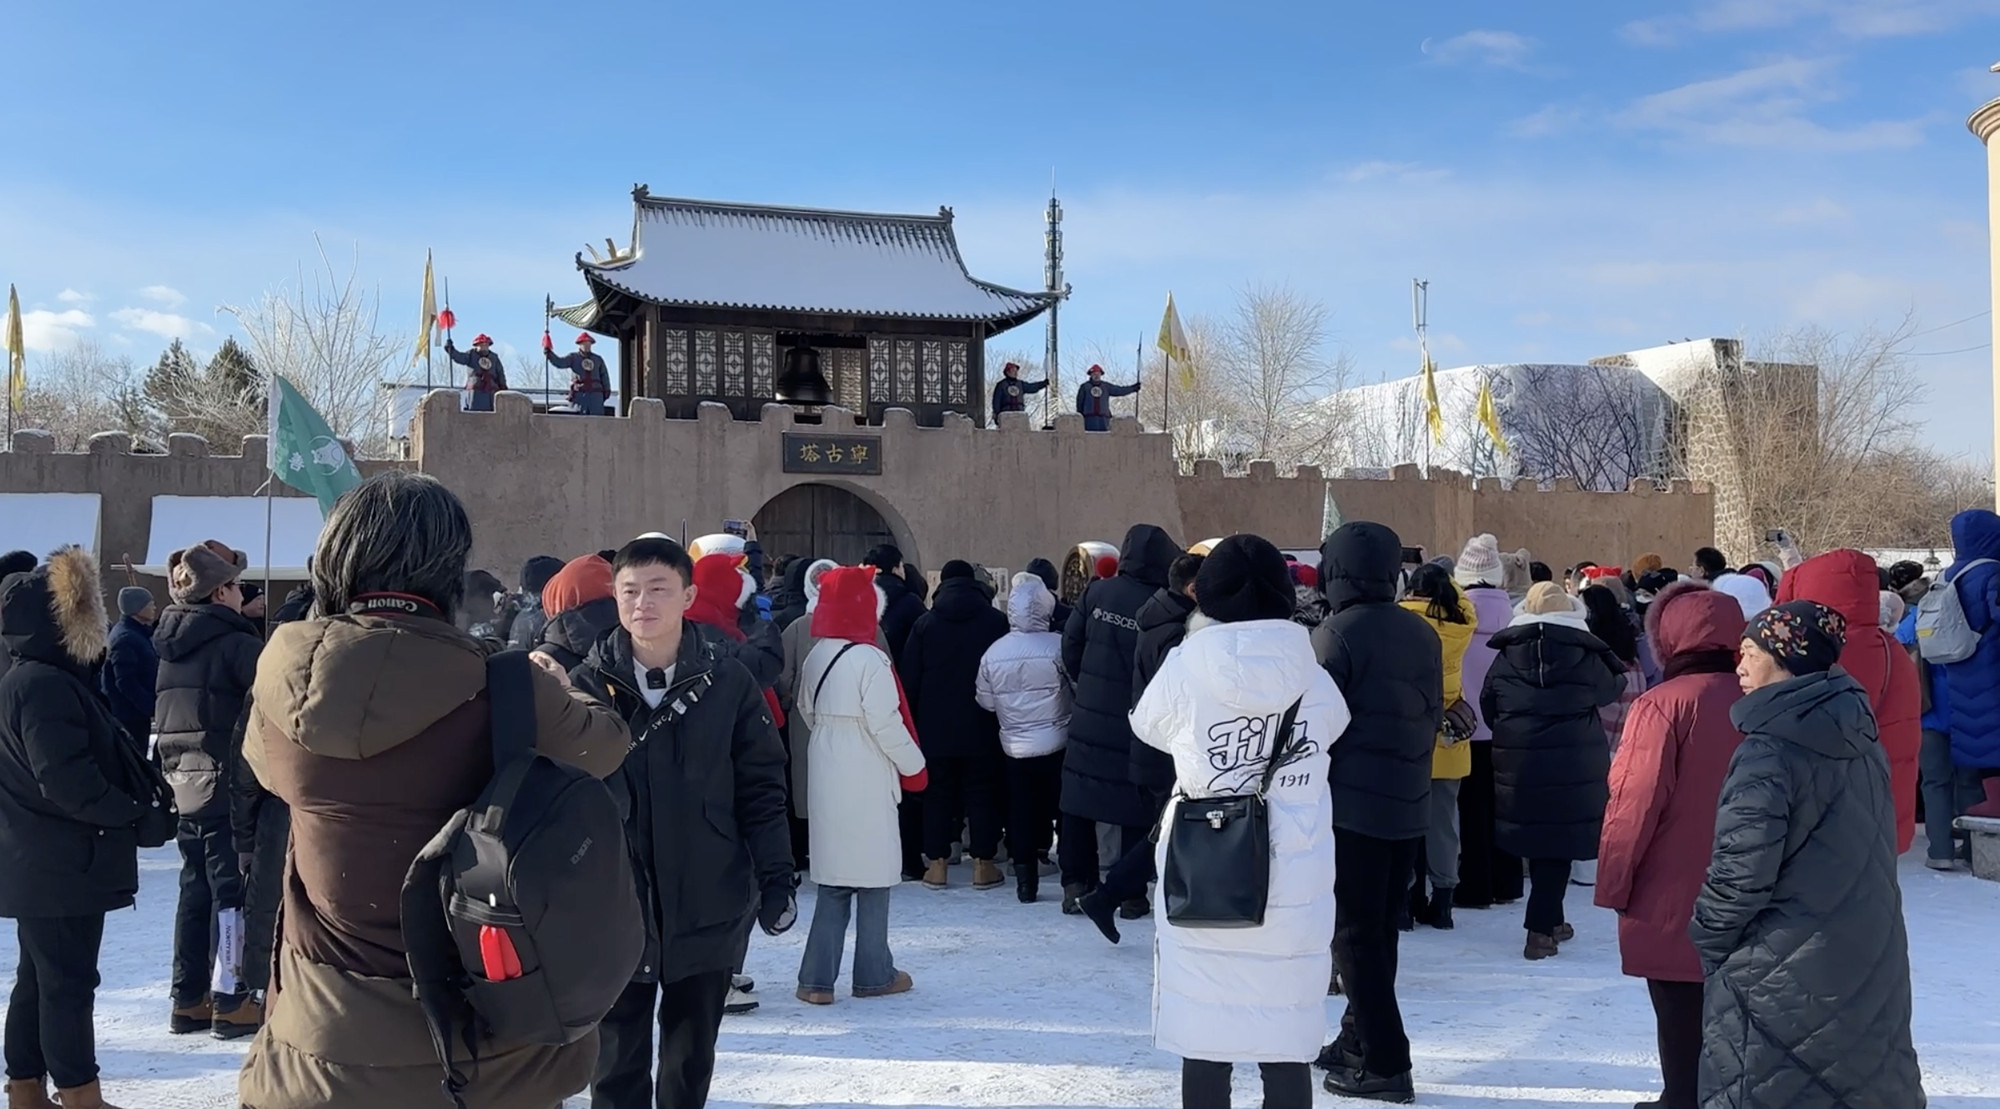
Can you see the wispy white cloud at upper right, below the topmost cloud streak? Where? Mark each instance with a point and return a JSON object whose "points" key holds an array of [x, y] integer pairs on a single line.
{"points": [[1765, 107]]}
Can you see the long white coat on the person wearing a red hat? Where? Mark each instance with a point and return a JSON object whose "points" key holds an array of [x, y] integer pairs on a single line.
{"points": [[859, 750]]}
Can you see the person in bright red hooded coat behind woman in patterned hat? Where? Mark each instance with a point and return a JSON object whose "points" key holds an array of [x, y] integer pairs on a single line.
{"points": [[1849, 584]]}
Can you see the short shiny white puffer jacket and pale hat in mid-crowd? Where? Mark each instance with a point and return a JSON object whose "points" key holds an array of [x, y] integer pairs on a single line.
{"points": [[1021, 678]]}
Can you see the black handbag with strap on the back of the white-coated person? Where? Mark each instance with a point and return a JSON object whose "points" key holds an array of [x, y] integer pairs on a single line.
{"points": [[1219, 852]]}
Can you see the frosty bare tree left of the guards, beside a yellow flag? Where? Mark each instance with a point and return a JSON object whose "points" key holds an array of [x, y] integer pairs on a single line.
{"points": [[323, 339]]}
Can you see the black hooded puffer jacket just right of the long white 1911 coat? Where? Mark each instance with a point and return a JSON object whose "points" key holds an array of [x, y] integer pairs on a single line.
{"points": [[1389, 666]]}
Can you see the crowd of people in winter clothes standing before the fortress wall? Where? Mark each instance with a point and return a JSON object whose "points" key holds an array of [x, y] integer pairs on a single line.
{"points": [[1731, 760]]}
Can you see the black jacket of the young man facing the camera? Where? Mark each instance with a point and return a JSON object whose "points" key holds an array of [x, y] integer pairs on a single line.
{"points": [[703, 792]]}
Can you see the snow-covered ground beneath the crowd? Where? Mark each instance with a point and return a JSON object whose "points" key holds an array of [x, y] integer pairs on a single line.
{"points": [[1017, 1006]]}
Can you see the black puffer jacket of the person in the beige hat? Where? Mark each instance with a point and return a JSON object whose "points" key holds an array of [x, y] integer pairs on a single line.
{"points": [[1551, 758]]}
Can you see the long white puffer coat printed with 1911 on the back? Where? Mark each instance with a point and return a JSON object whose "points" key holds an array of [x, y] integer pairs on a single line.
{"points": [[1249, 996]]}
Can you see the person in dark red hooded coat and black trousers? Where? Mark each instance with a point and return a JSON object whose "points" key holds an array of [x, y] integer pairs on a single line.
{"points": [[1661, 822]]}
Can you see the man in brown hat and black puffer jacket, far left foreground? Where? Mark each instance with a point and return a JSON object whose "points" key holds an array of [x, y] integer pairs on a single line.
{"points": [[209, 658]]}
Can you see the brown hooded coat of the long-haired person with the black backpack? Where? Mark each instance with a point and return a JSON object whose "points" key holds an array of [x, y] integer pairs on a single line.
{"points": [[375, 732]]}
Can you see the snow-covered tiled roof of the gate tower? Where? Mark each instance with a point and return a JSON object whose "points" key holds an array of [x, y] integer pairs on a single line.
{"points": [[701, 253]]}
